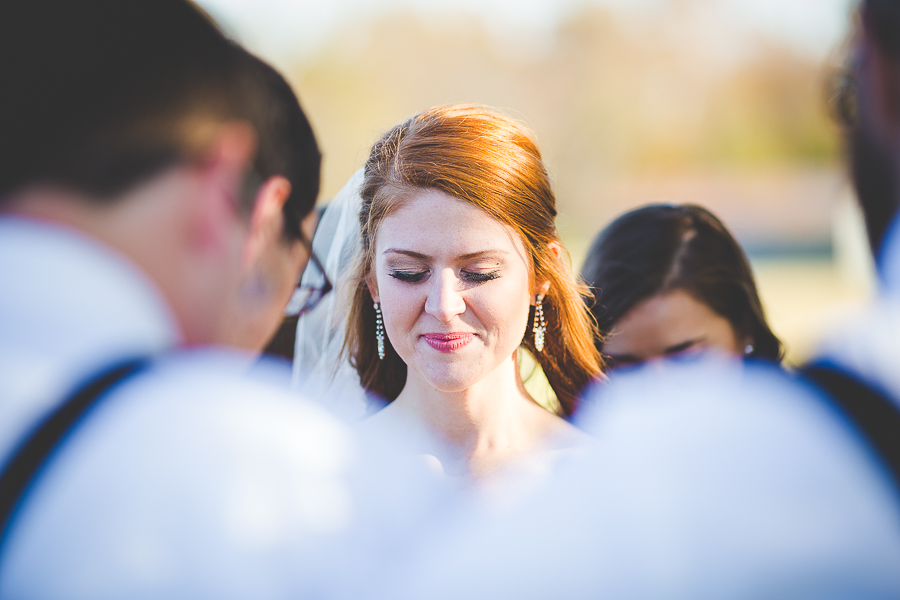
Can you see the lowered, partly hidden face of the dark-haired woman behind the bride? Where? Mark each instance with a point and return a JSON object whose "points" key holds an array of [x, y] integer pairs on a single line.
{"points": [[670, 324]]}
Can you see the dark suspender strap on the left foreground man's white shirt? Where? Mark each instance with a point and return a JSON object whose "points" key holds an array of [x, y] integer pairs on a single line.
{"points": [[36, 450]]}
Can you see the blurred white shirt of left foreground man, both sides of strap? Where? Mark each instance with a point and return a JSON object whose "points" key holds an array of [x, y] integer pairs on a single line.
{"points": [[194, 479]]}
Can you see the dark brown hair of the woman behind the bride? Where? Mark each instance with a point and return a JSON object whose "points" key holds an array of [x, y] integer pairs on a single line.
{"points": [[661, 248]]}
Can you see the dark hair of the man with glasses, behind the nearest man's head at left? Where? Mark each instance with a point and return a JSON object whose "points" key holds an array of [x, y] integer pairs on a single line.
{"points": [[287, 145]]}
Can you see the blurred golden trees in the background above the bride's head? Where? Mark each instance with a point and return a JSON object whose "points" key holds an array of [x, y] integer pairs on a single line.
{"points": [[606, 98]]}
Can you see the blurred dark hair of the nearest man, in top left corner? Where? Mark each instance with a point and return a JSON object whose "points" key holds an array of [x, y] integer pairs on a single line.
{"points": [[99, 95]]}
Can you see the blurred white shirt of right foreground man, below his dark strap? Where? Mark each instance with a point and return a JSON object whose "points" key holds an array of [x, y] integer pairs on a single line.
{"points": [[708, 481]]}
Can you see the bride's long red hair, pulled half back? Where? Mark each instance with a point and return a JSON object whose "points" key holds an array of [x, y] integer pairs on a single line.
{"points": [[487, 159]]}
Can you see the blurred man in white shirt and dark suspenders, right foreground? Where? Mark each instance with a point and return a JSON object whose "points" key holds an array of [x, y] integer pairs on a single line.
{"points": [[715, 480]]}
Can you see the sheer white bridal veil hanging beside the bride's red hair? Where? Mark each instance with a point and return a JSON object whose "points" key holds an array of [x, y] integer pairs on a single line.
{"points": [[321, 332]]}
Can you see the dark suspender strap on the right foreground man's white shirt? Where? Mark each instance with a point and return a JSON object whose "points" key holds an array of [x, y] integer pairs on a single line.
{"points": [[875, 414]]}
